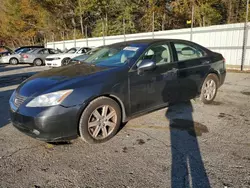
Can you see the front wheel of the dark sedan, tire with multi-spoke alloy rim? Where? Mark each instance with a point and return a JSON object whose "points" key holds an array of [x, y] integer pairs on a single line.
{"points": [[91, 124]]}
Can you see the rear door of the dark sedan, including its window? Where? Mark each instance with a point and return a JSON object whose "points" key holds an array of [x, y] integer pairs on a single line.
{"points": [[193, 66]]}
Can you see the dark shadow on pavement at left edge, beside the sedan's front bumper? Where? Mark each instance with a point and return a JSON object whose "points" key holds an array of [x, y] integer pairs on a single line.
{"points": [[4, 110]]}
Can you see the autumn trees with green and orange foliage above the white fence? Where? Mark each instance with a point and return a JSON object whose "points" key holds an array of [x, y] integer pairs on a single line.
{"points": [[32, 21]]}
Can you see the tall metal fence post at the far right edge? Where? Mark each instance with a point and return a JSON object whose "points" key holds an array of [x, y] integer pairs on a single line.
{"points": [[245, 38]]}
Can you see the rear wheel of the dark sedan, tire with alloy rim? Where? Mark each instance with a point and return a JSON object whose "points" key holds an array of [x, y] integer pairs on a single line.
{"points": [[209, 89]]}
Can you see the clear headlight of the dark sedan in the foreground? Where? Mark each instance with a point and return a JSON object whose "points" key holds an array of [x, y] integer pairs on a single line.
{"points": [[49, 99]]}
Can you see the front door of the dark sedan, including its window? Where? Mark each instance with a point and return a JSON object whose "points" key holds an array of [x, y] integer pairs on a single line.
{"points": [[156, 87]]}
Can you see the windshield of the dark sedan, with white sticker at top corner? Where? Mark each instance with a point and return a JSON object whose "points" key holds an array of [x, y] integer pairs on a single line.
{"points": [[109, 56]]}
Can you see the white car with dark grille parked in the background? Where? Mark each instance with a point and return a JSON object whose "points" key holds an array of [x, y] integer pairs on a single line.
{"points": [[58, 60]]}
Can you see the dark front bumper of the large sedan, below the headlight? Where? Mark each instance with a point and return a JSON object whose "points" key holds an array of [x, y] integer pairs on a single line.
{"points": [[49, 124]]}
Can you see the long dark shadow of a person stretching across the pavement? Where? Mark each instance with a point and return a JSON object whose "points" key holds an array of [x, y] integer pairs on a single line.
{"points": [[187, 165]]}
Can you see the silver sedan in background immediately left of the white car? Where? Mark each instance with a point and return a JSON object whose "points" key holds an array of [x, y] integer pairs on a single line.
{"points": [[37, 56]]}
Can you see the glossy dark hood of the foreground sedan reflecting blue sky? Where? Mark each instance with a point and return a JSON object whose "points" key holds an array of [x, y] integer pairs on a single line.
{"points": [[57, 78]]}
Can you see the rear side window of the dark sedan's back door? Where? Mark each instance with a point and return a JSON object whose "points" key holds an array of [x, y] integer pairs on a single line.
{"points": [[186, 52]]}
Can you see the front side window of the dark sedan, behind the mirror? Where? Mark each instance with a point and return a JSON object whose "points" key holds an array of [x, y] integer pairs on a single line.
{"points": [[160, 54]]}
